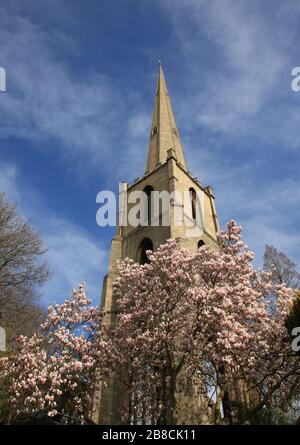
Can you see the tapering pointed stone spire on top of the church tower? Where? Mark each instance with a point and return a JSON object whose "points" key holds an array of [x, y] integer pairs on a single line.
{"points": [[164, 133]]}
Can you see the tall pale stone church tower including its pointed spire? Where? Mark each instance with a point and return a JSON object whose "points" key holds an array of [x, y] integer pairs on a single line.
{"points": [[166, 170]]}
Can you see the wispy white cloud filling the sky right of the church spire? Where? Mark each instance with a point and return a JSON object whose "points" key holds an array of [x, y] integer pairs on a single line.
{"points": [[237, 111]]}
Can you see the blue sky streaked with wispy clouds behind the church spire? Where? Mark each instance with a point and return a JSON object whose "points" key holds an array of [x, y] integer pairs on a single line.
{"points": [[76, 115]]}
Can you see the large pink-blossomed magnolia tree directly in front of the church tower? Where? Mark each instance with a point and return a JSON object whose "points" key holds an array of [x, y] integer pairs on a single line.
{"points": [[203, 326]]}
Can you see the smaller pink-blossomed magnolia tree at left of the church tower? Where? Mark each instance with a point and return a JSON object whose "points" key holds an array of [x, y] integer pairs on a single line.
{"points": [[57, 371]]}
